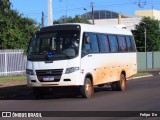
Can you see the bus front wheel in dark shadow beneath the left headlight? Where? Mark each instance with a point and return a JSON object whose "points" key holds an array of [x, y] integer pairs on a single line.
{"points": [[38, 93]]}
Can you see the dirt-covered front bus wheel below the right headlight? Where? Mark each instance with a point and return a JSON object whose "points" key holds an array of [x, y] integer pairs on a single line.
{"points": [[87, 89]]}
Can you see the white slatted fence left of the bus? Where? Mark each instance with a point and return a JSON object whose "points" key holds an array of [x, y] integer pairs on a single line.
{"points": [[12, 62]]}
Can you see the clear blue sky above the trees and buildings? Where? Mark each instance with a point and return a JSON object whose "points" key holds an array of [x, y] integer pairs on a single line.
{"points": [[33, 8]]}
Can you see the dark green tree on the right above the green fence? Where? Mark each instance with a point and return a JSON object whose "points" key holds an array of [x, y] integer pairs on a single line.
{"points": [[152, 27]]}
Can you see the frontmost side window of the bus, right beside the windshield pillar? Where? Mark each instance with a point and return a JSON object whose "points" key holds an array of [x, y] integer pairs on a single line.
{"points": [[86, 45]]}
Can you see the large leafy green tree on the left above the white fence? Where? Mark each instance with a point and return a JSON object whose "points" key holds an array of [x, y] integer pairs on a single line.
{"points": [[14, 28]]}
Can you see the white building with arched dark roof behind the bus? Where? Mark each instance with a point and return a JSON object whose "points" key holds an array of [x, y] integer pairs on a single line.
{"points": [[105, 17]]}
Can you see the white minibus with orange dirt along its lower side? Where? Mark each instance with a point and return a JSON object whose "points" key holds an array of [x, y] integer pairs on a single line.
{"points": [[80, 55]]}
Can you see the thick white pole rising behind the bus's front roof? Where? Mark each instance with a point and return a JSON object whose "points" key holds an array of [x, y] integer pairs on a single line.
{"points": [[50, 19]]}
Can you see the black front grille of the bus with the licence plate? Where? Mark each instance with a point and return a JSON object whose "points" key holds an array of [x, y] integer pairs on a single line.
{"points": [[51, 73]]}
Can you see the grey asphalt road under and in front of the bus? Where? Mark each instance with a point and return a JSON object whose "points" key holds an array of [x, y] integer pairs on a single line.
{"points": [[141, 95]]}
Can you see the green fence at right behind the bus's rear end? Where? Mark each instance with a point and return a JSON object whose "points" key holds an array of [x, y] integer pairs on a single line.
{"points": [[148, 60]]}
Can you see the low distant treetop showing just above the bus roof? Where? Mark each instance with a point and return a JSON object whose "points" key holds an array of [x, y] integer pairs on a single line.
{"points": [[76, 19]]}
